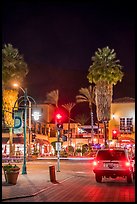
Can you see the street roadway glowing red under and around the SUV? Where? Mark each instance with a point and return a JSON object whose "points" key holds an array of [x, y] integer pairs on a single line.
{"points": [[80, 185]]}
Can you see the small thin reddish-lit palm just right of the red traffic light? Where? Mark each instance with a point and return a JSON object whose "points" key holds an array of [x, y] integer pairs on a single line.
{"points": [[69, 107]]}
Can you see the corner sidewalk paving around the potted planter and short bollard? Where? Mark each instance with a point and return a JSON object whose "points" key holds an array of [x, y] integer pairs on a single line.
{"points": [[31, 183]]}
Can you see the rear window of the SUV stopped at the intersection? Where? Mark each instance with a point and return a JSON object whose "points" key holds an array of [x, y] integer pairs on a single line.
{"points": [[111, 155]]}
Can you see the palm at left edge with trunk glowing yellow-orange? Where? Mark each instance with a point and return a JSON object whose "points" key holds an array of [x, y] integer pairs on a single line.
{"points": [[14, 68]]}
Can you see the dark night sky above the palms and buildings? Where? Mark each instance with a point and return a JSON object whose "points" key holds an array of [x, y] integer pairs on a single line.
{"points": [[58, 39]]}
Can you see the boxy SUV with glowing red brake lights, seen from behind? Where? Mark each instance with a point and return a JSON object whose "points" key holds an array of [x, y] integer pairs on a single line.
{"points": [[112, 163]]}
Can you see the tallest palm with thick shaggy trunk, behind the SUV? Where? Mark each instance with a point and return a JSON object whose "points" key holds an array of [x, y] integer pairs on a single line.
{"points": [[105, 72]]}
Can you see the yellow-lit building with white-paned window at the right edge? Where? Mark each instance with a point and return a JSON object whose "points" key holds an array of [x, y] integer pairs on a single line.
{"points": [[122, 123]]}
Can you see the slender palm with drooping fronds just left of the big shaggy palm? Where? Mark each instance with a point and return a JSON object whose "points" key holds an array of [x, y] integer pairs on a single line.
{"points": [[87, 95]]}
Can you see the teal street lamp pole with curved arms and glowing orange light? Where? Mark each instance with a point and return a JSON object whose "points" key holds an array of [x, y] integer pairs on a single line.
{"points": [[26, 98]]}
